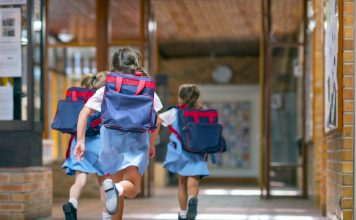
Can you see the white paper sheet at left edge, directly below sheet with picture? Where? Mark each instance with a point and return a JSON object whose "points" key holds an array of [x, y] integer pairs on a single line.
{"points": [[10, 60]]}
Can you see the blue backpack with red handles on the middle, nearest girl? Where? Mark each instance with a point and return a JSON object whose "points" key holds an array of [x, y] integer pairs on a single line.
{"points": [[128, 102]]}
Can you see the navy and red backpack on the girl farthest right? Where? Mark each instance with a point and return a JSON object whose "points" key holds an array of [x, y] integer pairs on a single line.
{"points": [[199, 130]]}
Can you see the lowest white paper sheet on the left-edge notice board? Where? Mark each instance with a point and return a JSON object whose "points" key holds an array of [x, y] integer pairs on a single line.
{"points": [[6, 102]]}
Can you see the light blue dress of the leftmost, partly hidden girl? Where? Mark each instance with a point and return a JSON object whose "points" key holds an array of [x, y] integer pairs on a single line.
{"points": [[90, 162]]}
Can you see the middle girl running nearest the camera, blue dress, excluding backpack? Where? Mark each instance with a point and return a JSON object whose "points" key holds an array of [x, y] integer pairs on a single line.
{"points": [[123, 152]]}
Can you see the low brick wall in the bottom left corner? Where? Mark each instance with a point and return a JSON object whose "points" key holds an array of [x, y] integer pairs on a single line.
{"points": [[25, 193]]}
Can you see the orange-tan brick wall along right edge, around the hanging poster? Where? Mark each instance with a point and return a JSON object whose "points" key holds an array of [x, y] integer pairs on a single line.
{"points": [[331, 157]]}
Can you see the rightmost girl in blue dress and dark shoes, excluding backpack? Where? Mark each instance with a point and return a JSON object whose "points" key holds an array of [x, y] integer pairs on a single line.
{"points": [[189, 167]]}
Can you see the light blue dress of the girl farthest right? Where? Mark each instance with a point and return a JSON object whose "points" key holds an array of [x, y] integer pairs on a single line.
{"points": [[183, 162]]}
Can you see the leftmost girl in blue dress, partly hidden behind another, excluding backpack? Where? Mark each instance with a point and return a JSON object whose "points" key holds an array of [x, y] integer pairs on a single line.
{"points": [[89, 164]]}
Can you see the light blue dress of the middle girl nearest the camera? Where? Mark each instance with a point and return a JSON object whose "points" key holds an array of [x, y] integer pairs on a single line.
{"points": [[121, 149]]}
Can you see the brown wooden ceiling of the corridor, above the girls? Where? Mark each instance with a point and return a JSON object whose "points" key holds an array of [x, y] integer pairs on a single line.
{"points": [[184, 27]]}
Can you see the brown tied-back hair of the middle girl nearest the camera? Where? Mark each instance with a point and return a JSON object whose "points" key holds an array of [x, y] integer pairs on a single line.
{"points": [[127, 60]]}
